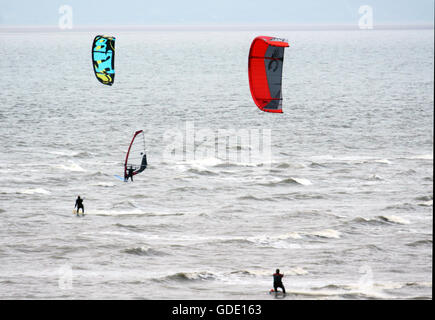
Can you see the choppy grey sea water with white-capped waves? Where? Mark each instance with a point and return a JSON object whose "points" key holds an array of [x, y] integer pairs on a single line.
{"points": [[343, 206]]}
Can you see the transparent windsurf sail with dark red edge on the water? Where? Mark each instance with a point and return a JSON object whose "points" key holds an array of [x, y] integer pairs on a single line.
{"points": [[136, 157]]}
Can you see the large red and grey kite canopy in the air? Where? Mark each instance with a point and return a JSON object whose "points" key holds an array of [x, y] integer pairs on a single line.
{"points": [[266, 58]]}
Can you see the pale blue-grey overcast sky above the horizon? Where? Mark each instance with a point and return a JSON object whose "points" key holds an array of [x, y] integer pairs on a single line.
{"points": [[161, 12]]}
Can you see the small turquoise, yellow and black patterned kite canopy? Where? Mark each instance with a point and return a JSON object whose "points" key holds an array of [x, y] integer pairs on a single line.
{"points": [[103, 59]]}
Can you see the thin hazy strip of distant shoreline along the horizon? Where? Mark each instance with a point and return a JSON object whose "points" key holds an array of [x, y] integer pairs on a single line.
{"points": [[229, 27]]}
